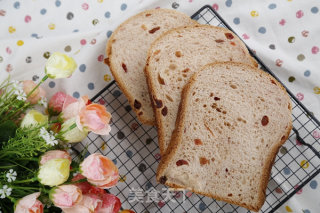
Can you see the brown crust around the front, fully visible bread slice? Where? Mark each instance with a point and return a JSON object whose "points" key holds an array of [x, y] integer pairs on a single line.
{"points": [[177, 136]]}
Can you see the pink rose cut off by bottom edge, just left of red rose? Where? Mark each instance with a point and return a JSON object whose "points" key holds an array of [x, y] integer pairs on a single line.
{"points": [[89, 204]]}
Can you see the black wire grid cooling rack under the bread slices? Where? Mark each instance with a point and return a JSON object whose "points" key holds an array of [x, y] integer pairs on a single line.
{"points": [[134, 149]]}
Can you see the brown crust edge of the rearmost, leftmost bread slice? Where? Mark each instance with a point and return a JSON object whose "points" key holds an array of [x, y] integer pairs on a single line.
{"points": [[142, 118]]}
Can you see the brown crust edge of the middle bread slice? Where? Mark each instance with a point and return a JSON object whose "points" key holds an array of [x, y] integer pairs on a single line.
{"points": [[148, 74]]}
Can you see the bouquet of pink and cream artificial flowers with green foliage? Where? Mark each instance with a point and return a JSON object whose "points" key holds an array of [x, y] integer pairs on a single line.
{"points": [[37, 173]]}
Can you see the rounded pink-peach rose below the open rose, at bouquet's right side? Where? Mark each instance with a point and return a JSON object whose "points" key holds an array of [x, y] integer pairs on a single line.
{"points": [[100, 171]]}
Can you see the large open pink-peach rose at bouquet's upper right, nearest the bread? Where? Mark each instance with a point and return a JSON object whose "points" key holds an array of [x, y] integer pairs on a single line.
{"points": [[91, 117]]}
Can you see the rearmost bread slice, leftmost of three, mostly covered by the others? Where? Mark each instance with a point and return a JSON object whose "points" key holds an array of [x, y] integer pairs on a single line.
{"points": [[127, 53]]}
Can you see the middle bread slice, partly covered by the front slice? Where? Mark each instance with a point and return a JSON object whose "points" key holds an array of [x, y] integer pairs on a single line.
{"points": [[174, 57]]}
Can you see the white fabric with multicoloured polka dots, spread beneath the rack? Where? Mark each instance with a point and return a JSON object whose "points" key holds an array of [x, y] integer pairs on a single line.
{"points": [[284, 34]]}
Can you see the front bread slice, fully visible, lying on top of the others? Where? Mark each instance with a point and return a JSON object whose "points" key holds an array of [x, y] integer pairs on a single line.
{"points": [[232, 120]]}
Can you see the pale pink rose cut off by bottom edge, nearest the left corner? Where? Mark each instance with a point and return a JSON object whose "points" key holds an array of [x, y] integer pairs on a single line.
{"points": [[29, 204]]}
